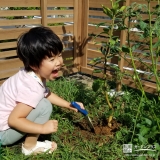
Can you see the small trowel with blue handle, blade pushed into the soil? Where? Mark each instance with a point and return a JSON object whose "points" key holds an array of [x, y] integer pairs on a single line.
{"points": [[85, 113]]}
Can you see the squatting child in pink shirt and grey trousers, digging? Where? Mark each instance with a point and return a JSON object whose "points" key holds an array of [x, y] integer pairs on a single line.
{"points": [[25, 101]]}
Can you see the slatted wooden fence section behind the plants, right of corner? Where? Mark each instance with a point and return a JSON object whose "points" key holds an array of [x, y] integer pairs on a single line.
{"points": [[90, 51]]}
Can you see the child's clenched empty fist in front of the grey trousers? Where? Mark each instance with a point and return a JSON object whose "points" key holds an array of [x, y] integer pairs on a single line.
{"points": [[50, 127]]}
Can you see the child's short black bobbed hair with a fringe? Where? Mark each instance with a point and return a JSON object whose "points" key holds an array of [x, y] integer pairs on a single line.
{"points": [[37, 44]]}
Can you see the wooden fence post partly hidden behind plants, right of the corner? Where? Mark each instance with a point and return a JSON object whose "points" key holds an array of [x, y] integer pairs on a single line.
{"points": [[123, 37]]}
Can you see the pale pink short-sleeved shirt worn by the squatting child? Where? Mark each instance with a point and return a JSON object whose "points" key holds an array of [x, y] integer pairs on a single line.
{"points": [[24, 87]]}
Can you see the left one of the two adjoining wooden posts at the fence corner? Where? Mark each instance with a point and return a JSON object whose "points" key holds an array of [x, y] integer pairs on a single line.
{"points": [[77, 32]]}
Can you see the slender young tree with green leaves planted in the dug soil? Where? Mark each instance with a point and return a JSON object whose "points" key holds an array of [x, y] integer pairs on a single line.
{"points": [[110, 48]]}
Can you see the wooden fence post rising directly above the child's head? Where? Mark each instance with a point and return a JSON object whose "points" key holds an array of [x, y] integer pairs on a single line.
{"points": [[44, 12]]}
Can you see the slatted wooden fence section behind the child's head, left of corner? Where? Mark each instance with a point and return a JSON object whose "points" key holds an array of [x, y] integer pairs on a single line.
{"points": [[49, 13]]}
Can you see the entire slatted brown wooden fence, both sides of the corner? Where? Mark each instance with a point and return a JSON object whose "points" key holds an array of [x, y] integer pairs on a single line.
{"points": [[78, 18]]}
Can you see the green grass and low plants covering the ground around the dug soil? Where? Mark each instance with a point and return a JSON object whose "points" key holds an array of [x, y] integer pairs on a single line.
{"points": [[75, 143]]}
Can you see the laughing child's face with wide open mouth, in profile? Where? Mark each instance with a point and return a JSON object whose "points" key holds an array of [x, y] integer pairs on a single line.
{"points": [[49, 67]]}
